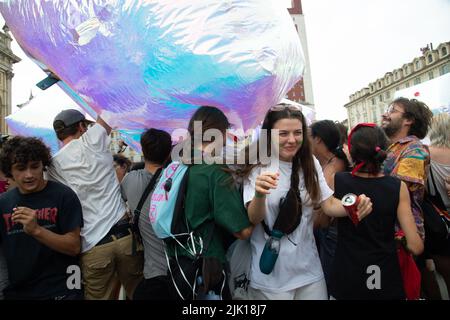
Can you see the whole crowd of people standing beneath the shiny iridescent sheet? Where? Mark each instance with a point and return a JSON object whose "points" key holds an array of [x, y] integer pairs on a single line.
{"points": [[75, 224]]}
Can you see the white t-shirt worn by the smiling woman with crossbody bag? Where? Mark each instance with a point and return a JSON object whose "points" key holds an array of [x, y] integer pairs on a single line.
{"points": [[297, 265]]}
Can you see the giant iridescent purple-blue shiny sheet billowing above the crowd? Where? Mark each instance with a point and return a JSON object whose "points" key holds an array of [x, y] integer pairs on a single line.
{"points": [[141, 64]]}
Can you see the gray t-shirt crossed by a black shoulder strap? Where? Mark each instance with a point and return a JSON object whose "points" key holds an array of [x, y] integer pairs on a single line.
{"points": [[132, 188]]}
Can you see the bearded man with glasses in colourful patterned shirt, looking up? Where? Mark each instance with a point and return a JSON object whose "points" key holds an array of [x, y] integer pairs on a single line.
{"points": [[406, 122]]}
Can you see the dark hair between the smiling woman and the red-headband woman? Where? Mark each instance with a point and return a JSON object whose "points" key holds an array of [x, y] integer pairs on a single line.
{"points": [[330, 134]]}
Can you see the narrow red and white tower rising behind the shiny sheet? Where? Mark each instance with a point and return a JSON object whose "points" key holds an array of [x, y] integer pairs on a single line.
{"points": [[302, 91]]}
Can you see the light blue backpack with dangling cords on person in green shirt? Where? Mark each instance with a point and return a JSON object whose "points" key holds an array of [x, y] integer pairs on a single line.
{"points": [[169, 223]]}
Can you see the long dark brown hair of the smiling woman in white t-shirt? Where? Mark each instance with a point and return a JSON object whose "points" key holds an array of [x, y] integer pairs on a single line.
{"points": [[303, 159]]}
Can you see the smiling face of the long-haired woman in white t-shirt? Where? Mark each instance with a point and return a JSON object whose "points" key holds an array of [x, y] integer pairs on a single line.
{"points": [[290, 137]]}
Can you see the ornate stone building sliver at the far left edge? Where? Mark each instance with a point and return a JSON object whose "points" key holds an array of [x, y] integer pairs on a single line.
{"points": [[7, 59]]}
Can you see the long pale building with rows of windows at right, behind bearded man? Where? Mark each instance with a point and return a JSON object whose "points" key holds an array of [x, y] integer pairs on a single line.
{"points": [[369, 103]]}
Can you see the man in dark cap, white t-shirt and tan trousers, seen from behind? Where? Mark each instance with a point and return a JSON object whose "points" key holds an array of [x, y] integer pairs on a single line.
{"points": [[86, 165]]}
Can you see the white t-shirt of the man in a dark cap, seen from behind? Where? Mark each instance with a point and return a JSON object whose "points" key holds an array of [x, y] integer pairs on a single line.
{"points": [[86, 165]]}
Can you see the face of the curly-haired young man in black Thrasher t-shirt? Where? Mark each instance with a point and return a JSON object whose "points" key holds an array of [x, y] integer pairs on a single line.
{"points": [[28, 177]]}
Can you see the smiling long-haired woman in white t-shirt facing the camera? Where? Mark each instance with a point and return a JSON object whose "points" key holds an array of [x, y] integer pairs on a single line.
{"points": [[297, 273]]}
